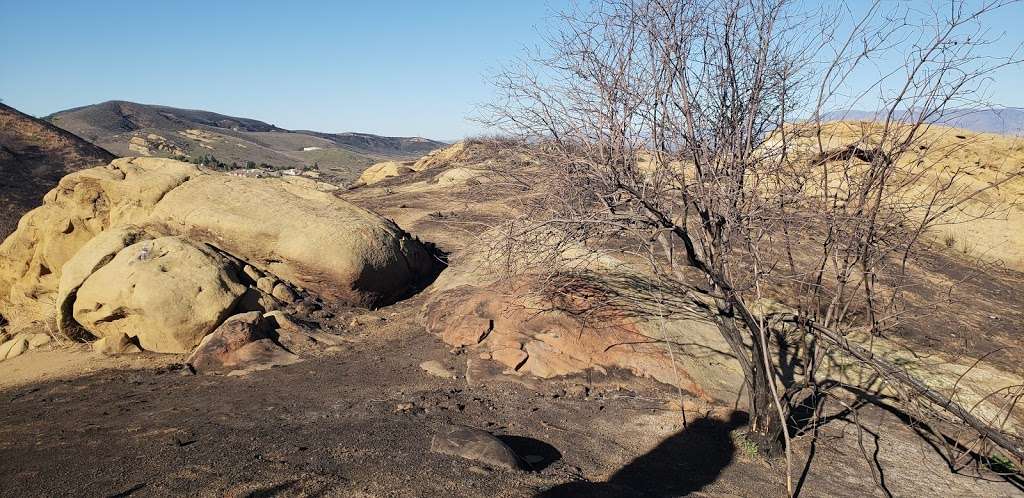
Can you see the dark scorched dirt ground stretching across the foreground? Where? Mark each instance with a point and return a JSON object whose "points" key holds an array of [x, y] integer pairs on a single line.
{"points": [[332, 426]]}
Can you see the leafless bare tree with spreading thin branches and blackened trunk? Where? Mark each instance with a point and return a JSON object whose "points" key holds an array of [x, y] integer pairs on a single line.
{"points": [[691, 135]]}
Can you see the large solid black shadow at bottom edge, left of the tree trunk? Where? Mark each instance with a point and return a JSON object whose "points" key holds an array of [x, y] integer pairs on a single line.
{"points": [[684, 464]]}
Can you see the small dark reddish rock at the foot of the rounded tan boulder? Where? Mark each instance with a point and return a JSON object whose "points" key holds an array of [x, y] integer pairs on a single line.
{"points": [[242, 344]]}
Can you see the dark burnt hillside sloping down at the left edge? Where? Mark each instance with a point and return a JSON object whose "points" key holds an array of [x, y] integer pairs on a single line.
{"points": [[34, 155]]}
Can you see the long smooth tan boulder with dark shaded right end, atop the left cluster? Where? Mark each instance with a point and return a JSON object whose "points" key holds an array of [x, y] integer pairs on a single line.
{"points": [[308, 238]]}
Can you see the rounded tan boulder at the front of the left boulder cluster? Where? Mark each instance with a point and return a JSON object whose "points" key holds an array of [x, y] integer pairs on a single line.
{"points": [[166, 293]]}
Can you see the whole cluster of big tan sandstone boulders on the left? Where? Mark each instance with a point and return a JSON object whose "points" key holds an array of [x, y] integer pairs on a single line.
{"points": [[156, 255]]}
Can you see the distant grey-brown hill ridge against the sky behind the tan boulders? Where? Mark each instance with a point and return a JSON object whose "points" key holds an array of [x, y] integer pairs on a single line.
{"points": [[139, 130]]}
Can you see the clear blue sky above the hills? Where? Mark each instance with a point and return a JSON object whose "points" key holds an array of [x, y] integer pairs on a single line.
{"points": [[396, 68]]}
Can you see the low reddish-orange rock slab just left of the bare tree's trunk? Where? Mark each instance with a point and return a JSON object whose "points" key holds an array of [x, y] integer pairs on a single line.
{"points": [[524, 337]]}
